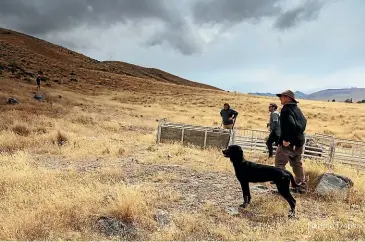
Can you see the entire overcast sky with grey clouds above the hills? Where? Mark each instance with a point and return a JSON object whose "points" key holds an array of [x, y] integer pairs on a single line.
{"points": [[237, 45]]}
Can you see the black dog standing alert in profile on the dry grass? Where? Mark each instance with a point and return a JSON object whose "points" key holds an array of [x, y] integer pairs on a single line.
{"points": [[247, 172]]}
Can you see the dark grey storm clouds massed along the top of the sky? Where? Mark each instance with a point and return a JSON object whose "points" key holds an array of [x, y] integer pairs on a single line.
{"points": [[180, 21]]}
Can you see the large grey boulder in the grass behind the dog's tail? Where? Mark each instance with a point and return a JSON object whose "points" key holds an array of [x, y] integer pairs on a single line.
{"points": [[332, 184]]}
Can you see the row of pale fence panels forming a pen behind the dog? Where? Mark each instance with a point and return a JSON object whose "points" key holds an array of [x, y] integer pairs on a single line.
{"points": [[318, 146]]}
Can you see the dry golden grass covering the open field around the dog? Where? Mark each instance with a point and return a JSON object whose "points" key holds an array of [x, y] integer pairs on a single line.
{"points": [[109, 165]]}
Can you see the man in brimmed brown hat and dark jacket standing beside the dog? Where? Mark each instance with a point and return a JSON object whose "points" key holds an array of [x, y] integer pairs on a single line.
{"points": [[291, 141]]}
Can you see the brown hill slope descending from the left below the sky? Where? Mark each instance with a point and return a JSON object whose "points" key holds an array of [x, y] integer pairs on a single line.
{"points": [[24, 56]]}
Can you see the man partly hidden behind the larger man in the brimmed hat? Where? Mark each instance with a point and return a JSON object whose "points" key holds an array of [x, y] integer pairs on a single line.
{"points": [[274, 125]]}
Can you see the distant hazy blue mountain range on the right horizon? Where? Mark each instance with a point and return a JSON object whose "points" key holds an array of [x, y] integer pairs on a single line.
{"points": [[357, 94]]}
